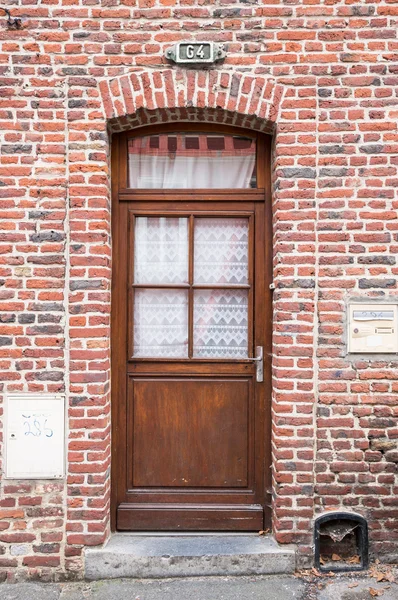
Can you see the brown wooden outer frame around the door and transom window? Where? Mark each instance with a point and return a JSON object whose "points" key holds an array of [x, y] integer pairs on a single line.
{"points": [[118, 176]]}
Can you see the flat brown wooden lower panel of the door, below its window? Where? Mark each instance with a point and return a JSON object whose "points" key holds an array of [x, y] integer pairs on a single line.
{"points": [[190, 433]]}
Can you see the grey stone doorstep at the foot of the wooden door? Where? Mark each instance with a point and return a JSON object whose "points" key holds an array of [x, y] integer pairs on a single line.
{"points": [[159, 556]]}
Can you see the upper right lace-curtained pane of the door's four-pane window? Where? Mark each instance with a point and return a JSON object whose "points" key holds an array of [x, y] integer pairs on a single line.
{"points": [[221, 250]]}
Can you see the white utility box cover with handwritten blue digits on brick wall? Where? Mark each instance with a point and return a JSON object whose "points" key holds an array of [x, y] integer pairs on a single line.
{"points": [[34, 436]]}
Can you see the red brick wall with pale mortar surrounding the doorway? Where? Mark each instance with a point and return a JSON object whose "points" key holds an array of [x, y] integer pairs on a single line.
{"points": [[323, 78]]}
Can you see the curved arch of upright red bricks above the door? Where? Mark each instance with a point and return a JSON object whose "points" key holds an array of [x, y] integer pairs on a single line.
{"points": [[151, 97]]}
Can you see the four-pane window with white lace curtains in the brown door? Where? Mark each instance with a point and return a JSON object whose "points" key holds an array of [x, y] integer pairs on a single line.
{"points": [[191, 287]]}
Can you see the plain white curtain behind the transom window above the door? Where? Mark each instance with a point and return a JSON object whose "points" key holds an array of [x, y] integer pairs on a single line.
{"points": [[171, 172]]}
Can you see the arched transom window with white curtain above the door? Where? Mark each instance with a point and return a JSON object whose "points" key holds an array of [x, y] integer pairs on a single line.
{"points": [[192, 160]]}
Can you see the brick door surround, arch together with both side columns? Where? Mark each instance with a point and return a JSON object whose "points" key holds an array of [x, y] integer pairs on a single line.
{"points": [[152, 97]]}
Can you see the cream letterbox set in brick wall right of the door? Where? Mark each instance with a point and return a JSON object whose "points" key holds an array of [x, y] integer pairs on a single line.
{"points": [[372, 328]]}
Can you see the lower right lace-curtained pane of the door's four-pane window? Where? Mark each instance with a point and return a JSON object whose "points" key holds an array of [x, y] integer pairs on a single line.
{"points": [[220, 321]]}
